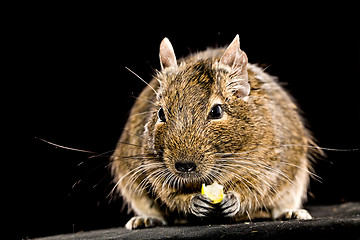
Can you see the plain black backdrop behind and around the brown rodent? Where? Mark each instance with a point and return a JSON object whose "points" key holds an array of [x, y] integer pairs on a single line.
{"points": [[68, 85]]}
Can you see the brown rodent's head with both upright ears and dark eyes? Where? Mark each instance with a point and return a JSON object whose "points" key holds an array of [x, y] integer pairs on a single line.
{"points": [[202, 111]]}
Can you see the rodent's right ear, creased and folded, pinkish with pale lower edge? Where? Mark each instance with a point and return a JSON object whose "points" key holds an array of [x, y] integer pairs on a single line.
{"points": [[237, 61]]}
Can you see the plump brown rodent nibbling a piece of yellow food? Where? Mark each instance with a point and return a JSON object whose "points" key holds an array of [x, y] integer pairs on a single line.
{"points": [[212, 117]]}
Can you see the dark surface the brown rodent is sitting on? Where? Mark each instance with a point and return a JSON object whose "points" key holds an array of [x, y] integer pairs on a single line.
{"points": [[330, 222]]}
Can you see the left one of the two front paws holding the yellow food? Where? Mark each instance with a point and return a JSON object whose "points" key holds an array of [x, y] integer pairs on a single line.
{"points": [[201, 206]]}
